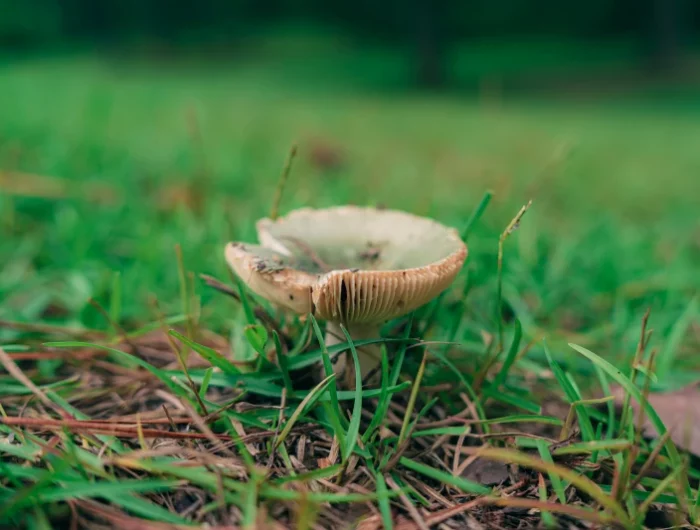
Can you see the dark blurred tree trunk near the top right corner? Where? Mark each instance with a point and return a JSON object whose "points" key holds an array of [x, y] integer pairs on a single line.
{"points": [[663, 39]]}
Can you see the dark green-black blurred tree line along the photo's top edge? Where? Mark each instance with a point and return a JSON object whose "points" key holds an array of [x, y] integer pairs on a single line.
{"points": [[427, 29]]}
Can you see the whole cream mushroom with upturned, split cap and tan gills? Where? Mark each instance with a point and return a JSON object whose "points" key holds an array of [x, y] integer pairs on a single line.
{"points": [[356, 266]]}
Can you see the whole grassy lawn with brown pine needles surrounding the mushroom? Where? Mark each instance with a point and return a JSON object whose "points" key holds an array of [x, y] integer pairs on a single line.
{"points": [[141, 389]]}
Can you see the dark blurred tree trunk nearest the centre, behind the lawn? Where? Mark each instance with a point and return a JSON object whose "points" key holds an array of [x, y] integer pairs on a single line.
{"points": [[431, 43]]}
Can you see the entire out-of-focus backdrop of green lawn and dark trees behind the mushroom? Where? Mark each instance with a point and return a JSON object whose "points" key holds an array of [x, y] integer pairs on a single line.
{"points": [[127, 127]]}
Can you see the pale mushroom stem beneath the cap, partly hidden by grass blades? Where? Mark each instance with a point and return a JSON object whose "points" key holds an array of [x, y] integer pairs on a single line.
{"points": [[369, 356]]}
